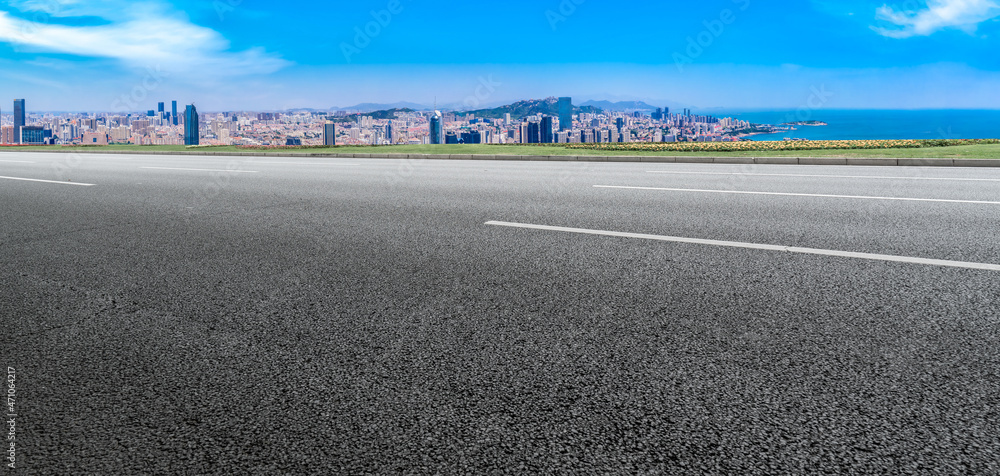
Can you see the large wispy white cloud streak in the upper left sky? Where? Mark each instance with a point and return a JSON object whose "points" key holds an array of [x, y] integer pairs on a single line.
{"points": [[139, 34]]}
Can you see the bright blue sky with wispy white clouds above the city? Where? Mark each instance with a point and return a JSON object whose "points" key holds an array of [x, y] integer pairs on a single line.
{"points": [[251, 54]]}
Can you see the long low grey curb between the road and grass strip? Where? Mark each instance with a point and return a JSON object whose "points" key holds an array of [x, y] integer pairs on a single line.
{"points": [[871, 162]]}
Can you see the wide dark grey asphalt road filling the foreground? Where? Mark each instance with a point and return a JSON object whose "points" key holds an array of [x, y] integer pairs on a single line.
{"points": [[355, 316]]}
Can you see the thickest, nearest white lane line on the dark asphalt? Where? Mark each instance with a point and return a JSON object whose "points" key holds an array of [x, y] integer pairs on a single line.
{"points": [[755, 246]]}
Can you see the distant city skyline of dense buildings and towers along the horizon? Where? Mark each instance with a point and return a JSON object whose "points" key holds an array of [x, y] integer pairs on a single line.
{"points": [[167, 127]]}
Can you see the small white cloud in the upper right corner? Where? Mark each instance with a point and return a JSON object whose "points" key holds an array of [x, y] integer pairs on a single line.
{"points": [[965, 15]]}
